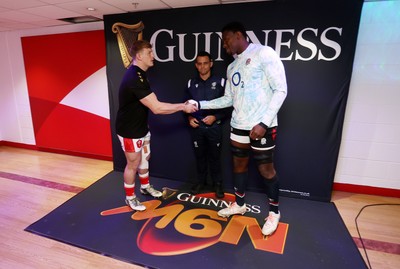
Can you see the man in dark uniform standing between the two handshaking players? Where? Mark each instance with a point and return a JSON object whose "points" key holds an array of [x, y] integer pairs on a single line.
{"points": [[206, 131]]}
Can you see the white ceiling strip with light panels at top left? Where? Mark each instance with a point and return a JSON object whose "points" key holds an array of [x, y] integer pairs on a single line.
{"points": [[29, 14]]}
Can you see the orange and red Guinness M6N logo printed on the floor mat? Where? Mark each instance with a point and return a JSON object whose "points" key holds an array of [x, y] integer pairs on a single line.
{"points": [[181, 223]]}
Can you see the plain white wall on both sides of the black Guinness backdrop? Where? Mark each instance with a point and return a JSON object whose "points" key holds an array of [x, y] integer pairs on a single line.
{"points": [[370, 150]]}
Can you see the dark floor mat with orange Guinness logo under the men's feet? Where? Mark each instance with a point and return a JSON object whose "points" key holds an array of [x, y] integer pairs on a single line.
{"points": [[183, 231]]}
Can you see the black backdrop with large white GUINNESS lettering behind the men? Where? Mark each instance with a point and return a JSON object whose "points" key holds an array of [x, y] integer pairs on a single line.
{"points": [[316, 41]]}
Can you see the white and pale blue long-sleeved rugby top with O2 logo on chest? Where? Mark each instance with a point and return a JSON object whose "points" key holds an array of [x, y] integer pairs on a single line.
{"points": [[256, 88]]}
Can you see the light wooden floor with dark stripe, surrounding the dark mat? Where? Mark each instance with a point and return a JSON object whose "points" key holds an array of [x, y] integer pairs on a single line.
{"points": [[33, 183]]}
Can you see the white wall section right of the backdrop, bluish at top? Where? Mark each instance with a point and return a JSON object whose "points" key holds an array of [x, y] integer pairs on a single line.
{"points": [[370, 149]]}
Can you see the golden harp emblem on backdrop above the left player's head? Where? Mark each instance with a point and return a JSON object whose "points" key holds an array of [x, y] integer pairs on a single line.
{"points": [[126, 35]]}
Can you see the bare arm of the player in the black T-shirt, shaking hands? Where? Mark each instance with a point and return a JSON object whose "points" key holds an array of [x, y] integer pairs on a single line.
{"points": [[158, 107]]}
